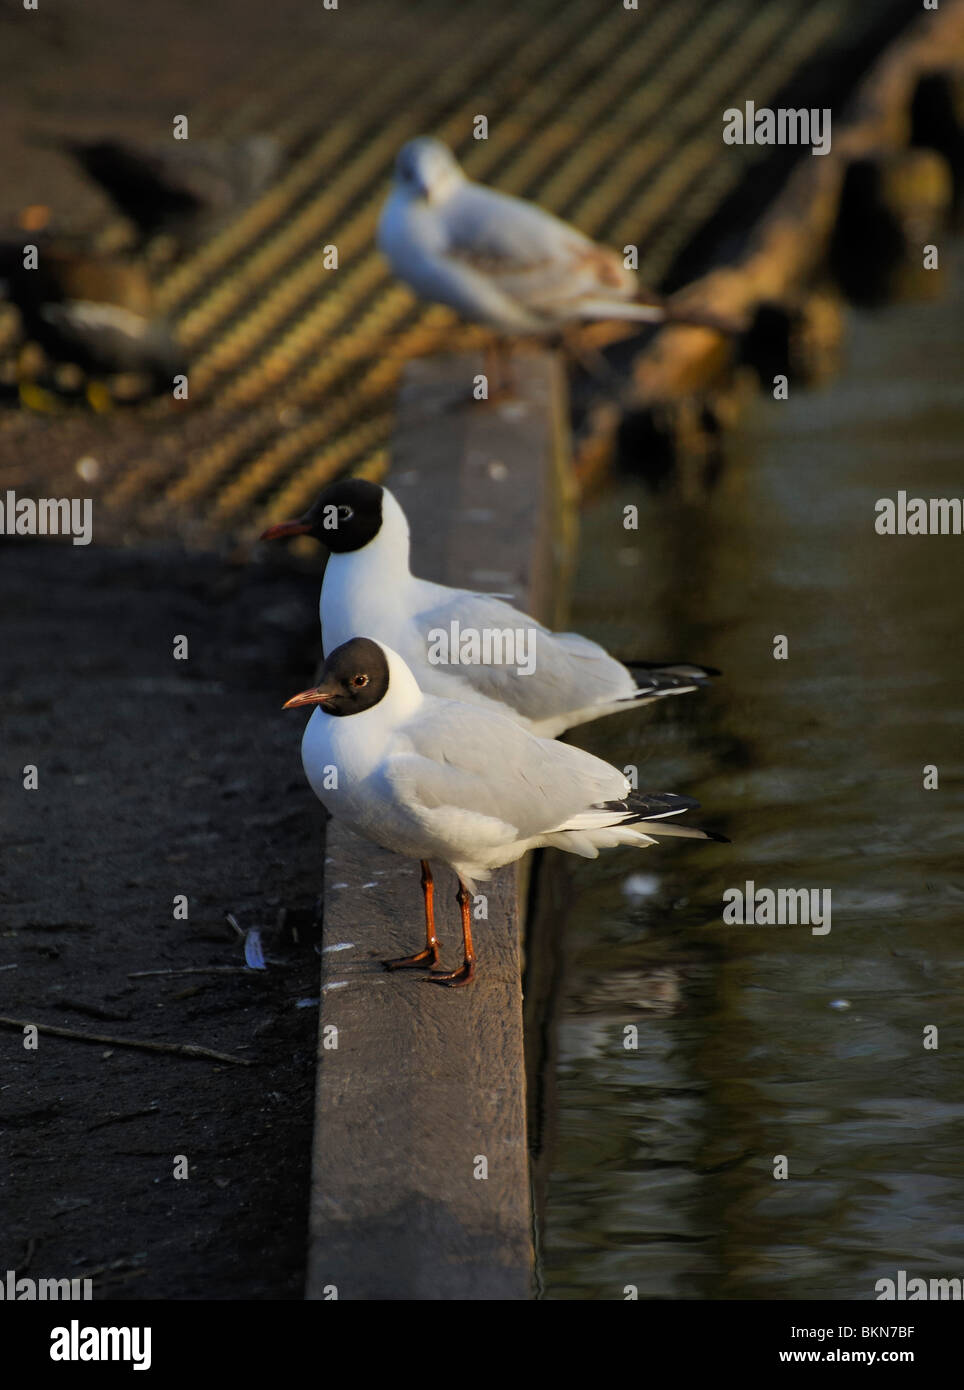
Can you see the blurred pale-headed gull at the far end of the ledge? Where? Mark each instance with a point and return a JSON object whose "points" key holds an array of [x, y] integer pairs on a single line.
{"points": [[502, 261]]}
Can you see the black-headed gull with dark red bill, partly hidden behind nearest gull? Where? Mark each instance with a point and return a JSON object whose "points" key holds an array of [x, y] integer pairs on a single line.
{"points": [[447, 635]]}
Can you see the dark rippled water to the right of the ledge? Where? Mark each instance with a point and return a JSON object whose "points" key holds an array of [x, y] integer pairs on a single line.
{"points": [[756, 1042]]}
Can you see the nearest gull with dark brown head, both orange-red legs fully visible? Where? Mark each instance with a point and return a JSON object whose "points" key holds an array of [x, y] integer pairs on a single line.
{"points": [[440, 779]]}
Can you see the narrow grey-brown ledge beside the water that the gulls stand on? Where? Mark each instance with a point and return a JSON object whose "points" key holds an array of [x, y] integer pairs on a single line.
{"points": [[424, 1084]]}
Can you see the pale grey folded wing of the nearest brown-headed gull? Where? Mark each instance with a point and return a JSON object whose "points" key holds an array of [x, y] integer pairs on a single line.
{"points": [[467, 760]]}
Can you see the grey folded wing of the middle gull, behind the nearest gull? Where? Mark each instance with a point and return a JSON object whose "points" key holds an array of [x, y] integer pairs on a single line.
{"points": [[570, 673]]}
